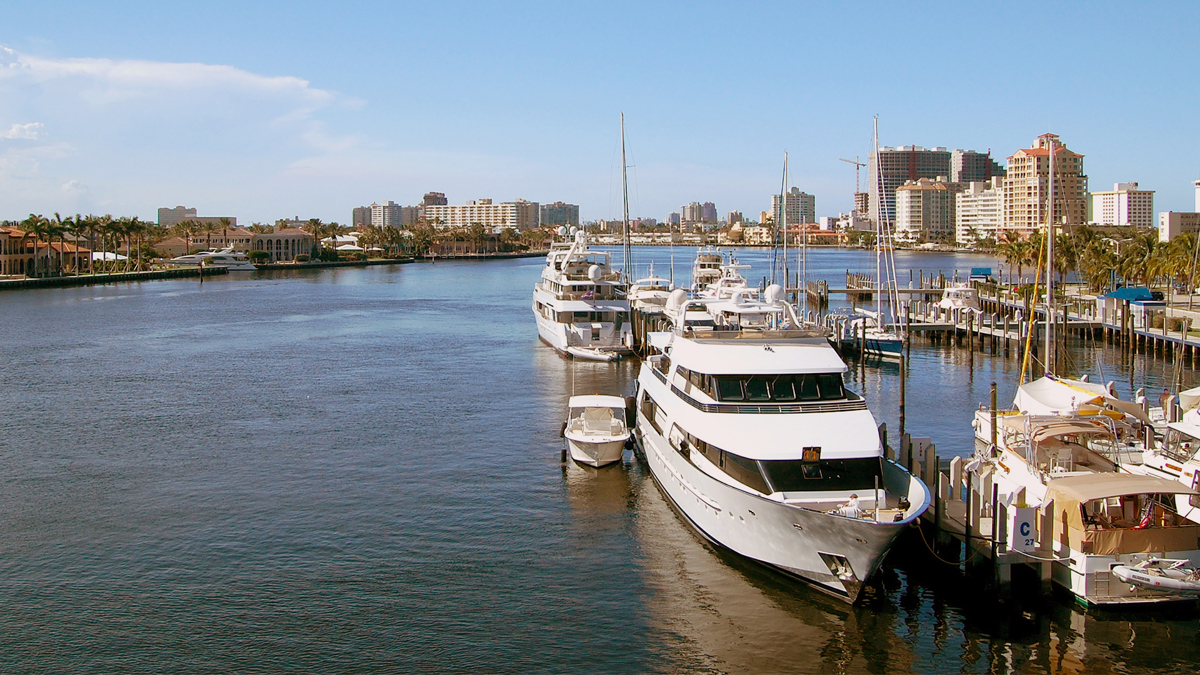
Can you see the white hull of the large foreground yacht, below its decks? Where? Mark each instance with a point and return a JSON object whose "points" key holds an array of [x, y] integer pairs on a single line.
{"points": [[803, 543]]}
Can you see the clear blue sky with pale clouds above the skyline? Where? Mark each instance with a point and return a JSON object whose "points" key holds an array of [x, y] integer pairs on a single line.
{"points": [[278, 110]]}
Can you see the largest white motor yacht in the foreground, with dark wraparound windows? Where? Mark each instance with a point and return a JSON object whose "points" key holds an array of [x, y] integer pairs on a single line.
{"points": [[747, 427]]}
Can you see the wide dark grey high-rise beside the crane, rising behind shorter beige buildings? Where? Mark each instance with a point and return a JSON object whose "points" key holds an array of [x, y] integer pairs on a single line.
{"points": [[911, 163]]}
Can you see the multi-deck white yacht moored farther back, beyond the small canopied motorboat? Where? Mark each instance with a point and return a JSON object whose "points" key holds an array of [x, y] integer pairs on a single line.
{"points": [[580, 303]]}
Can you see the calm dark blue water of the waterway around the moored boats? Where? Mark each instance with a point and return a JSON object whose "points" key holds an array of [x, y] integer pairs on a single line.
{"points": [[358, 470]]}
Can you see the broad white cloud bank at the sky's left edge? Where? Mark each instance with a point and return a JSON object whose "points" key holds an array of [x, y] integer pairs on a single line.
{"points": [[134, 135]]}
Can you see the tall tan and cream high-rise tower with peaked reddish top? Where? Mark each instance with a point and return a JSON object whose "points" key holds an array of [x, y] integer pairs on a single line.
{"points": [[1027, 187]]}
